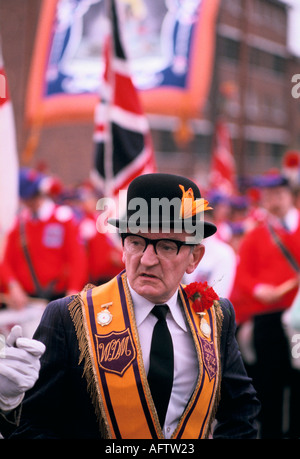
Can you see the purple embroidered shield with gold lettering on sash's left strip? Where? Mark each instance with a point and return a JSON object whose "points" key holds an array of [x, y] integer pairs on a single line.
{"points": [[115, 351]]}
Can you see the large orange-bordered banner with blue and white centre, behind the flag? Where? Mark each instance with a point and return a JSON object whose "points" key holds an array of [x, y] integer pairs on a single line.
{"points": [[171, 52]]}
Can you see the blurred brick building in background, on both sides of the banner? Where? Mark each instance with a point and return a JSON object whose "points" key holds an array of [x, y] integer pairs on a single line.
{"points": [[251, 56]]}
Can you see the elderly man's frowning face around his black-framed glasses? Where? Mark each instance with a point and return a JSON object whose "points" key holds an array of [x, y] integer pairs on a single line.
{"points": [[157, 278]]}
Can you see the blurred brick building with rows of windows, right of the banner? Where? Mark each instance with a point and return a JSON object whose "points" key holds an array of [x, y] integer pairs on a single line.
{"points": [[253, 60]]}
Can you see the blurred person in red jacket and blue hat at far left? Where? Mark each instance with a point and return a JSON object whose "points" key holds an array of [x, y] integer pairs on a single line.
{"points": [[44, 255]]}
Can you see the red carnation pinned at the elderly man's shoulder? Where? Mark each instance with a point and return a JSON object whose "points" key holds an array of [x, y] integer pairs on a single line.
{"points": [[202, 295]]}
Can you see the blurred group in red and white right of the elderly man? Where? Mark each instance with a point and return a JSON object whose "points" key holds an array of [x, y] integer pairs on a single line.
{"points": [[255, 262]]}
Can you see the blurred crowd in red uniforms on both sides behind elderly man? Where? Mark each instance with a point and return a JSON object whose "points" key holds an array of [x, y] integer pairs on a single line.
{"points": [[55, 249]]}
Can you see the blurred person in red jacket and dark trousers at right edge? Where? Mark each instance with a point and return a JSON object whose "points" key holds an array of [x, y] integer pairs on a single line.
{"points": [[266, 283]]}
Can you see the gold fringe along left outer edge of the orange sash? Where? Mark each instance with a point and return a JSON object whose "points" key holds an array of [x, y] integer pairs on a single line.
{"points": [[76, 312]]}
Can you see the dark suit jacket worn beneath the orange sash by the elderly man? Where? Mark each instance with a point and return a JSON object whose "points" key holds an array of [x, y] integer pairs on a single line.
{"points": [[59, 405]]}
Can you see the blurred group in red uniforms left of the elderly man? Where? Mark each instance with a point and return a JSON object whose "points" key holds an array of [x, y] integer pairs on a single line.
{"points": [[54, 248]]}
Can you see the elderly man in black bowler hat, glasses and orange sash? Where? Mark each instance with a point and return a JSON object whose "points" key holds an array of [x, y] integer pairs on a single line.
{"points": [[142, 356]]}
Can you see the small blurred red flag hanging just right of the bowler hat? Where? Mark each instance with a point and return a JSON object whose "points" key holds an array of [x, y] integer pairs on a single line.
{"points": [[223, 169]]}
